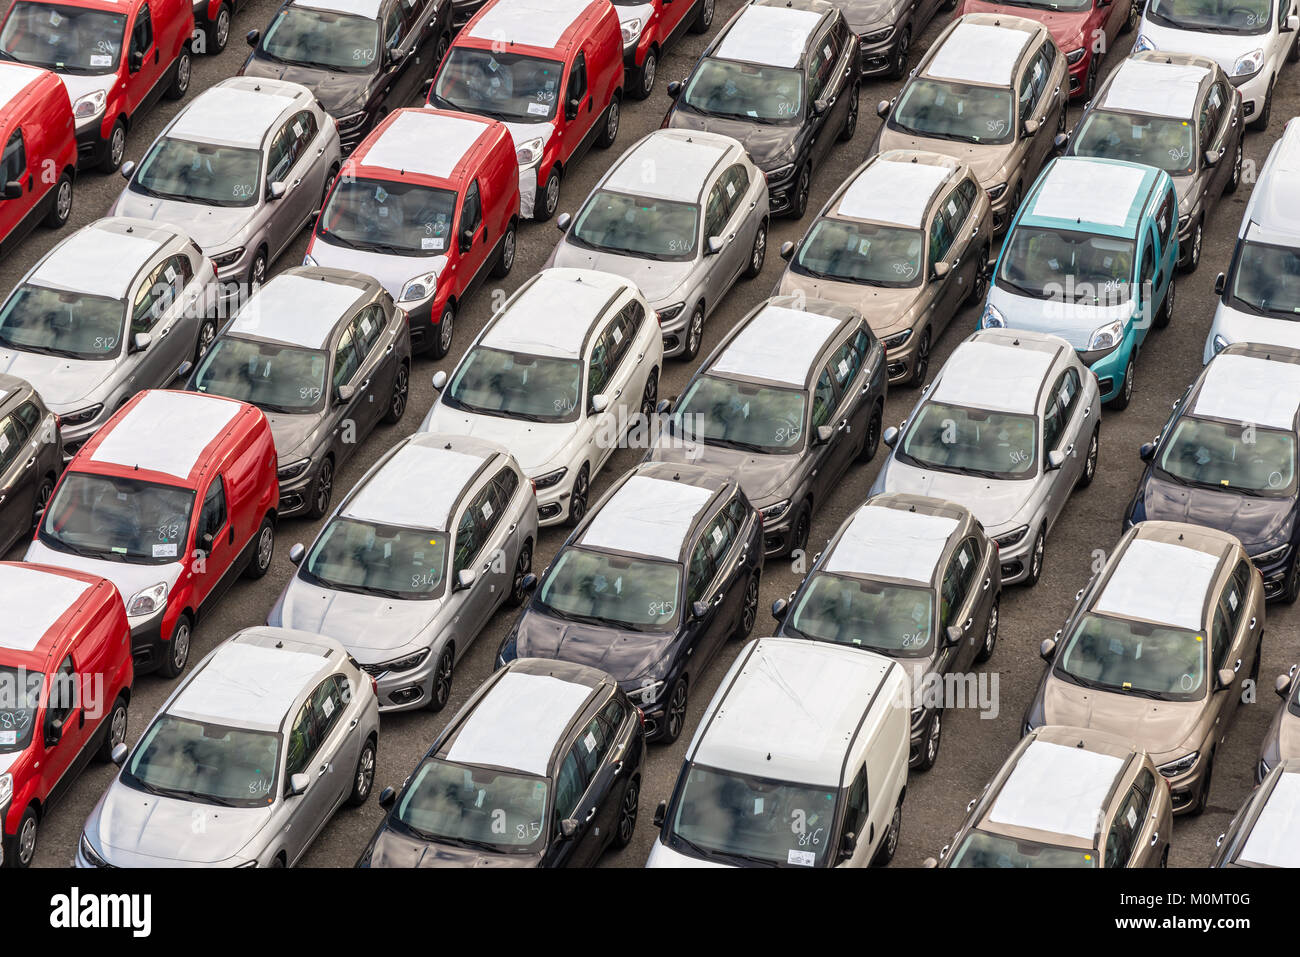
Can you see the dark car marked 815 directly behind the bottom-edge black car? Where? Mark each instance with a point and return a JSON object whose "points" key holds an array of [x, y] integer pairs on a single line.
{"points": [[649, 587]]}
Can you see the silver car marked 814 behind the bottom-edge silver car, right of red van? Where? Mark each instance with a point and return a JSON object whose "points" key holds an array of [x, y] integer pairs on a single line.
{"points": [[415, 561]]}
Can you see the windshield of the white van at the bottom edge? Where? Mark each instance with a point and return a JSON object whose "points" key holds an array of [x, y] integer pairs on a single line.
{"points": [[735, 819]]}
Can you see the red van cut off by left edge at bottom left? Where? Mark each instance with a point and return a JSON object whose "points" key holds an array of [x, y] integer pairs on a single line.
{"points": [[66, 685]]}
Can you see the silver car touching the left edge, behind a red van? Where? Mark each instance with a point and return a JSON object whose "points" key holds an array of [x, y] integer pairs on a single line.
{"points": [[119, 306]]}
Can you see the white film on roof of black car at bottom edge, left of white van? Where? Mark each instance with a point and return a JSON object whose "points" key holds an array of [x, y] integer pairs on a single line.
{"points": [[519, 724]]}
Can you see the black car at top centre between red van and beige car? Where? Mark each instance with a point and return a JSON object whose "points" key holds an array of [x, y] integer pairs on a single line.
{"points": [[783, 79]]}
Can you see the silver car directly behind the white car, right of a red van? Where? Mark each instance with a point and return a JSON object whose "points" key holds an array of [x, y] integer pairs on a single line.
{"points": [[683, 215]]}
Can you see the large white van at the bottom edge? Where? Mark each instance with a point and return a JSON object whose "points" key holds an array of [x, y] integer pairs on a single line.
{"points": [[801, 761]]}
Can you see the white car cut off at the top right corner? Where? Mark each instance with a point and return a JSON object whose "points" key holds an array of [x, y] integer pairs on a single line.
{"points": [[1250, 40]]}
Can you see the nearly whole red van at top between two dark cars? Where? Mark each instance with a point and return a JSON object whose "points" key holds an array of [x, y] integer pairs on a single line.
{"points": [[553, 72]]}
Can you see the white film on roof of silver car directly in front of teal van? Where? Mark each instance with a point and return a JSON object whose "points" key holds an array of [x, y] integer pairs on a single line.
{"points": [[994, 378]]}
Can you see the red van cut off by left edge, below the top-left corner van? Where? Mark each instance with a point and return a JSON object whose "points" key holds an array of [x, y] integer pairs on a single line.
{"points": [[40, 161]]}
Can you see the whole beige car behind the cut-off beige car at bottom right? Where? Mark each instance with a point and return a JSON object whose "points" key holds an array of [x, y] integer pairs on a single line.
{"points": [[1159, 651]]}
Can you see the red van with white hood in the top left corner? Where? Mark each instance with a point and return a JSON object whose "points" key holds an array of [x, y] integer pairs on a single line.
{"points": [[116, 58]]}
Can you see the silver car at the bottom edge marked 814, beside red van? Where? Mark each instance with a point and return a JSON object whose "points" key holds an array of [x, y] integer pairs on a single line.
{"points": [[245, 764]]}
